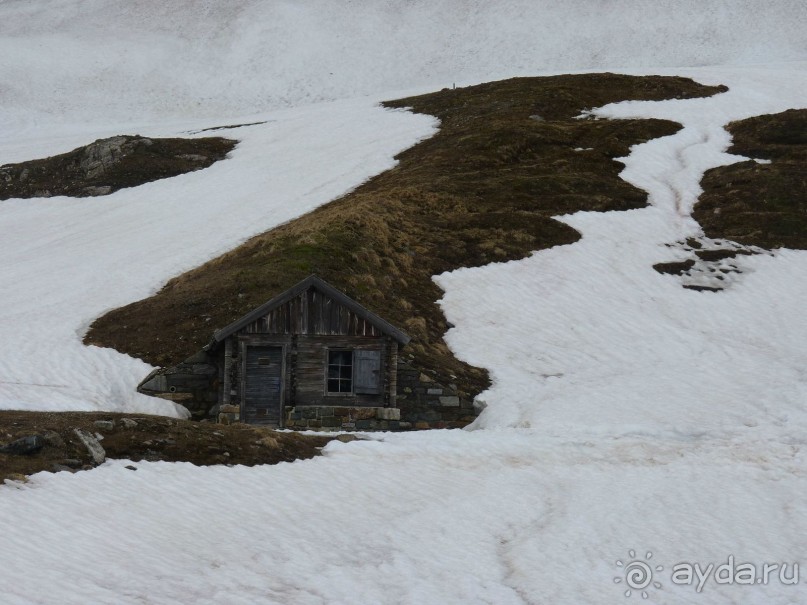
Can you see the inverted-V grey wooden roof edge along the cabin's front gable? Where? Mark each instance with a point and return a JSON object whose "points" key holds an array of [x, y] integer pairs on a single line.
{"points": [[315, 282]]}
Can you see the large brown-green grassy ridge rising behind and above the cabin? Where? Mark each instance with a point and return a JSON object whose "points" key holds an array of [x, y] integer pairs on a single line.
{"points": [[482, 190]]}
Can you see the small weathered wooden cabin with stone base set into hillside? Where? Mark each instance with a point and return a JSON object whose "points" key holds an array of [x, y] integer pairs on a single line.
{"points": [[311, 352]]}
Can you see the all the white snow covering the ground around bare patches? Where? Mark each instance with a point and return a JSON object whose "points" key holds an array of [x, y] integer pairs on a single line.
{"points": [[626, 412]]}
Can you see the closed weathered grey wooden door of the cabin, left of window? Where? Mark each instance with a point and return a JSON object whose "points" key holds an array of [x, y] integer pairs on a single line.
{"points": [[263, 392]]}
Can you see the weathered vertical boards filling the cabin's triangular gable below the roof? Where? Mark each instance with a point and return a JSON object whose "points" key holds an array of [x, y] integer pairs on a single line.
{"points": [[312, 313]]}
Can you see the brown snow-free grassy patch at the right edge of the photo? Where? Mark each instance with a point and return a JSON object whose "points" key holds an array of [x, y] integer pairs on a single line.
{"points": [[760, 204]]}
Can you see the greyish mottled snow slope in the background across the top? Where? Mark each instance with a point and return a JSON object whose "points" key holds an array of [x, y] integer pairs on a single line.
{"points": [[64, 59]]}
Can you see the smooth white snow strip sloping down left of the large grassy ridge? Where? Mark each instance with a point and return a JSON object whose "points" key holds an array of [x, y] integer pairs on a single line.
{"points": [[71, 260]]}
